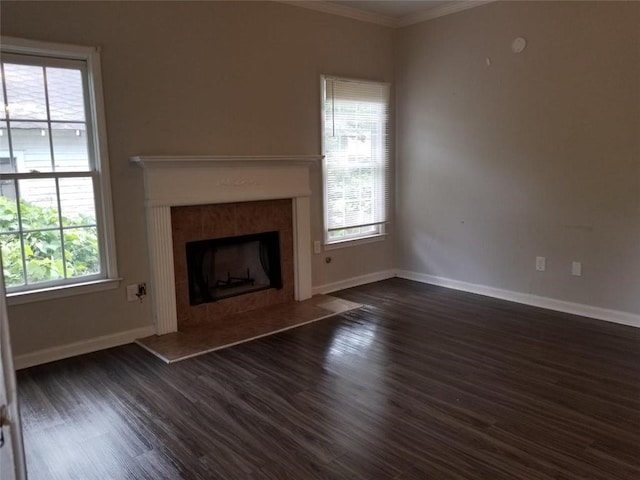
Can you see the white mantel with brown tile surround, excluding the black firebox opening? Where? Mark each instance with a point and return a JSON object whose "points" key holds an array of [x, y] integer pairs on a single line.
{"points": [[220, 196]]}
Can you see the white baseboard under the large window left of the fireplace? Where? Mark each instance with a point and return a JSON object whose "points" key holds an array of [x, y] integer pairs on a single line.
{"points": [[79, 348]]}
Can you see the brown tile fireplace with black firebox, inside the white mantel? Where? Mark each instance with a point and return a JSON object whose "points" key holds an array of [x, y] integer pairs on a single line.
{"points": [[205, 227]]}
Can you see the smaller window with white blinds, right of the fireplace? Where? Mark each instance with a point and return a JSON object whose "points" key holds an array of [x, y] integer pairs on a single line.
{"points": [[356, 164]]}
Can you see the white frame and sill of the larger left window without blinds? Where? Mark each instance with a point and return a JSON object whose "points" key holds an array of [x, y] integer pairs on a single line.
{"points": [[96, 122]]}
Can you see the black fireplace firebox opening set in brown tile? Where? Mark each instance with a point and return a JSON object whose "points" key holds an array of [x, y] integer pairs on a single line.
{"points": [[231, 266]]}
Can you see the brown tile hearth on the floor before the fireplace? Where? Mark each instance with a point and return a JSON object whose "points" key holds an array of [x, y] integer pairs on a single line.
{"points": [[242, 327]]}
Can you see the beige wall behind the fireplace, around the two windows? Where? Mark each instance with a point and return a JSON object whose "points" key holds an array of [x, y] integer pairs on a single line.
{"points": [[197, 78]]}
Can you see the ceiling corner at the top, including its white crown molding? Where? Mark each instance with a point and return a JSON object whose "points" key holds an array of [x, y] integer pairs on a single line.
{"points": [[390, 13]]}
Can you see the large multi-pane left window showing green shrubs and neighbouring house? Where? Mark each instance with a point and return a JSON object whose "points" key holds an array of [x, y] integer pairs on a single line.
{"points": [[55, 207]]}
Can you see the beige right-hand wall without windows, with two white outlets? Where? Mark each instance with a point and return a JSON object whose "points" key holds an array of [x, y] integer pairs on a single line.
{"points": [[537, 154]]}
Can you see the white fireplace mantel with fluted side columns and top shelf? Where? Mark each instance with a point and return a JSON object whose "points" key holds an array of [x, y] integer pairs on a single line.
{"points": [[199, 180]]}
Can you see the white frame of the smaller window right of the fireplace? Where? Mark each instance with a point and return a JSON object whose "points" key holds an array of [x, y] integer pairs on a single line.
{"points": [[379, 229]]}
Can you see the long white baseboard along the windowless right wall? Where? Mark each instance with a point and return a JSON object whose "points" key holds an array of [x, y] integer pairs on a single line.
{"points": [[615, 316]]}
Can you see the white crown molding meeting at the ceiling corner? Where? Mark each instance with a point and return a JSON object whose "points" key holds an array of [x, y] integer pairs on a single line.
{"points": [[453, 6]]}
